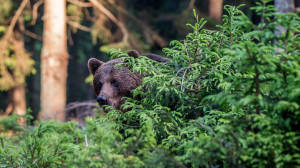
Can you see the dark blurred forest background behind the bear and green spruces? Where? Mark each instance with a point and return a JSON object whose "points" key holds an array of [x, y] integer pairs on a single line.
{"points": [[92, 28]]}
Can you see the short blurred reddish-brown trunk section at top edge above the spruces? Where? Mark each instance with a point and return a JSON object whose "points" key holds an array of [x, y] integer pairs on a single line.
{"points": [[216, 9]]}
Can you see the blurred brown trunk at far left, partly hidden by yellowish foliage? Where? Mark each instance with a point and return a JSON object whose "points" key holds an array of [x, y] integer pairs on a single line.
{"points": [[17, 100]]}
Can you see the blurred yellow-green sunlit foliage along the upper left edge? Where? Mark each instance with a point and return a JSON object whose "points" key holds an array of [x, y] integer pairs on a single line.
{"points": [[15, 62]]}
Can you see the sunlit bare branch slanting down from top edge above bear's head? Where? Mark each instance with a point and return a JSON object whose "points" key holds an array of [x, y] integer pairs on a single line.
{"points": [[112, 18]]}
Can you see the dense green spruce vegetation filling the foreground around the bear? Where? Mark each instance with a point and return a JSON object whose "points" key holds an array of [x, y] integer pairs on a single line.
{"points": [[229, 98]]}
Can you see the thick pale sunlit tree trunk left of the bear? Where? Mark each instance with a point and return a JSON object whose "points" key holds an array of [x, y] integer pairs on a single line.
{"points": [[54, 61]]}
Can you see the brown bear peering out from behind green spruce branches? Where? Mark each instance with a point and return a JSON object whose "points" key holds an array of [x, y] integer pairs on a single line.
{"points": [[111, 82]]}
